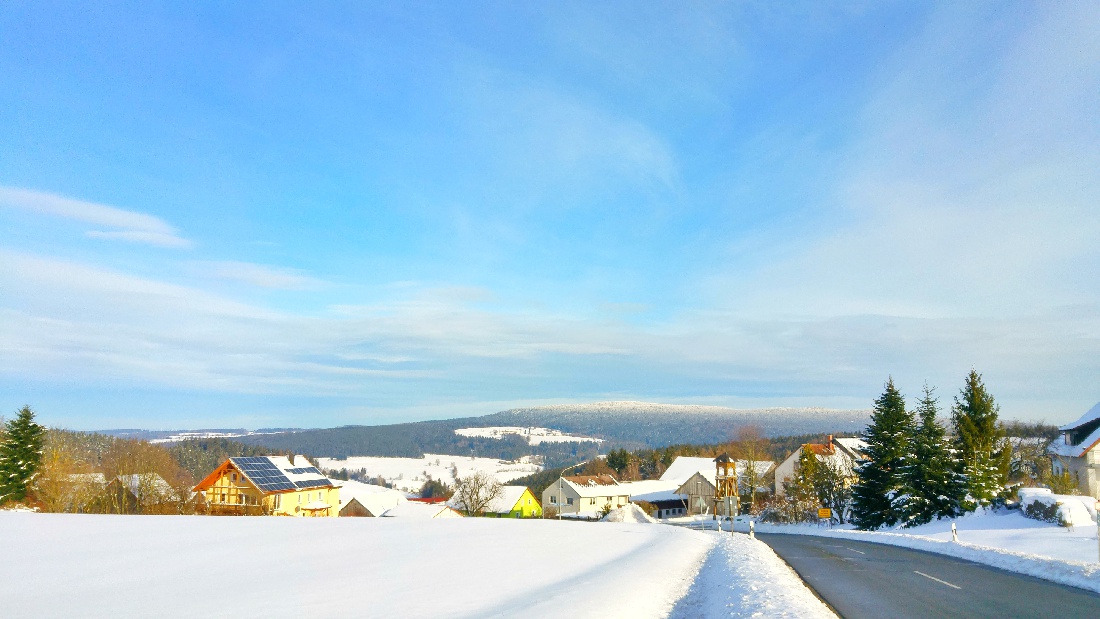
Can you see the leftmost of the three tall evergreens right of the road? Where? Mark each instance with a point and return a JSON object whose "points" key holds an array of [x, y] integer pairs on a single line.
{"points": [[879, 495]]}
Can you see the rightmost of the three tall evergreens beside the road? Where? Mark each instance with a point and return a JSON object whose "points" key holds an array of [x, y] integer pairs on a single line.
{"points": [[984, 457]]}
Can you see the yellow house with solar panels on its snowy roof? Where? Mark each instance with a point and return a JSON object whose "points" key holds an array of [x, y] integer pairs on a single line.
{"points": [[270, 485]]}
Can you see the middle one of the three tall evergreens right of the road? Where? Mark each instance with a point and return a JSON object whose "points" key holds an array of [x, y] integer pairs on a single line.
{"points": [[934, 485]]}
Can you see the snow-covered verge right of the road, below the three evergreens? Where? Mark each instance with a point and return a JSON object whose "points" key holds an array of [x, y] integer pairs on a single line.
{"points": [[1005, 540]]}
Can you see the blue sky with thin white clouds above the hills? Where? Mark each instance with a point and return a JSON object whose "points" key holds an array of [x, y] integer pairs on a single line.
{"points": [[313, 215]]}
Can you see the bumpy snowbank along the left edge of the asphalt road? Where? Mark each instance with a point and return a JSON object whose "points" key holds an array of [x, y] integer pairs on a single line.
{"points": [[743, 578]]}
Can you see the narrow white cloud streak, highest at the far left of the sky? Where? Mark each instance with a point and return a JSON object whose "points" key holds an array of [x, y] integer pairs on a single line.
{"points": [[124, 226]]}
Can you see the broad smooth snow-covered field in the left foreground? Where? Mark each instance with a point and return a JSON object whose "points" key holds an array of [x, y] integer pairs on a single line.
{"points": [[74, 566]]}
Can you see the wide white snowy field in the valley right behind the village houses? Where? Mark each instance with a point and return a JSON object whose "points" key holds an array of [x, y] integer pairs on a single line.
{"points": [[409, 474]]}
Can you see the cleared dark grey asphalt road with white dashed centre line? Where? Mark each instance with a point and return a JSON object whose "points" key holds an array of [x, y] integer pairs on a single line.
{"points": [[862, 580]]}
